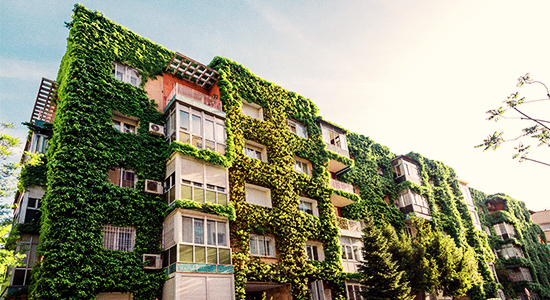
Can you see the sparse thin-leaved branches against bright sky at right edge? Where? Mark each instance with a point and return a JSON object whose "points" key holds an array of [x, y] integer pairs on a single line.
{"points": [[539, 131]]}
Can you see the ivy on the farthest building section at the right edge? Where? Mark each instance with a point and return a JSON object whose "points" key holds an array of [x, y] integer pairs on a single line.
{"points": [[529, 237]]}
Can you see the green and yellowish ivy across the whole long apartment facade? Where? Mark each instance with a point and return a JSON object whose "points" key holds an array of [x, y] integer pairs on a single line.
{"points": [[79, 200]]}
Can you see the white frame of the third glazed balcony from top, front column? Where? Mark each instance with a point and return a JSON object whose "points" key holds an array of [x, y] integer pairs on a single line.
{"points": [[196, 246]]}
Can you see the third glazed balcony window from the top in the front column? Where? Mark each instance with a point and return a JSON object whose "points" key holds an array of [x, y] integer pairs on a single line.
{"points": [[204, 241]]}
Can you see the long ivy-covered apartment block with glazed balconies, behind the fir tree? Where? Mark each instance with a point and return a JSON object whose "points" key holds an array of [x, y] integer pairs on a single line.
{"points": [[166, 177]]}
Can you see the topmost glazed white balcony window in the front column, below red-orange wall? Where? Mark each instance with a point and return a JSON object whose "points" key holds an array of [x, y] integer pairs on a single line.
{"points": [[195, 127]]}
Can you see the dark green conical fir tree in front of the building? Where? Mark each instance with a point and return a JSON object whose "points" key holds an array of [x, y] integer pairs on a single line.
{"points": [[381, 278]]}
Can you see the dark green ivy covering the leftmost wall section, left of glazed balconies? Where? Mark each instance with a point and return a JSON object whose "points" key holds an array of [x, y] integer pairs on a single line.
{"points": [[79, 200]]}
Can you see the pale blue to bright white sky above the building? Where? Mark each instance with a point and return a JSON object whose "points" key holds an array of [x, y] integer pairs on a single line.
{"points": [[411, 75]]}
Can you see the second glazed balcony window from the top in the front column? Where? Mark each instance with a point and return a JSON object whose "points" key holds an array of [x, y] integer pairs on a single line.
{"points": [[203, 182]]}
